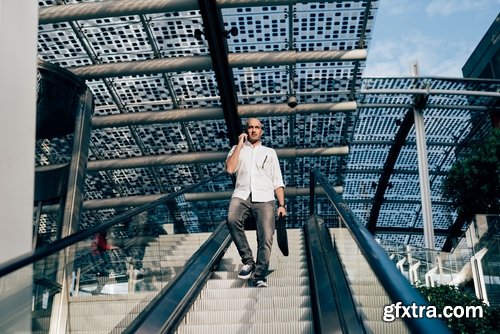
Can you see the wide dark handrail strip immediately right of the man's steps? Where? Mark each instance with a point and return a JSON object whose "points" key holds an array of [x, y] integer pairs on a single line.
{"points": [[332, 303]]}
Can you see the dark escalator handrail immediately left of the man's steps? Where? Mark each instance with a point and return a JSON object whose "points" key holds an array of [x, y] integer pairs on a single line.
{"points": [[166, 311]]}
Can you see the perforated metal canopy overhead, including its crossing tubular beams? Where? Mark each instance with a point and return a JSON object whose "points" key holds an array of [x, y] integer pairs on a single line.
{"points": [[166, 105]]}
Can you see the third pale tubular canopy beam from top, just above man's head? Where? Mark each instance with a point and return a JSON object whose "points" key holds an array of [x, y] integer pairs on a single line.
{"points": [[214, 113]]}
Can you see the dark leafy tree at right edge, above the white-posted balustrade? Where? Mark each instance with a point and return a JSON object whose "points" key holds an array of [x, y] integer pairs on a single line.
{"points": [[473, 182]]}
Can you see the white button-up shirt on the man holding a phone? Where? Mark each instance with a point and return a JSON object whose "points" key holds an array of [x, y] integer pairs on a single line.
{"points": [[258, 173]]}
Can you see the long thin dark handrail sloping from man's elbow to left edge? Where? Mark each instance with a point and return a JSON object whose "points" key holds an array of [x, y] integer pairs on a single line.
{"points": [[47, 250]]}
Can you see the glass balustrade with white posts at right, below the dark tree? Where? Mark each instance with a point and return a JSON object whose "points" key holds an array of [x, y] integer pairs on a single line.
{"points": [[475, 260]]}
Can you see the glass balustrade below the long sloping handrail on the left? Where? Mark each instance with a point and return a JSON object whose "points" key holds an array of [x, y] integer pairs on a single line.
{"points": [[103, 281]]}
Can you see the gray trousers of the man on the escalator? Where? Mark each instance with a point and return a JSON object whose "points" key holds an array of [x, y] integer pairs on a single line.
{"points": [[263, 212]]}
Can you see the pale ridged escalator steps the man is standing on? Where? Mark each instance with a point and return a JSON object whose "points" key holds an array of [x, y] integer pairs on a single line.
{"points": [[228, 304]]}
